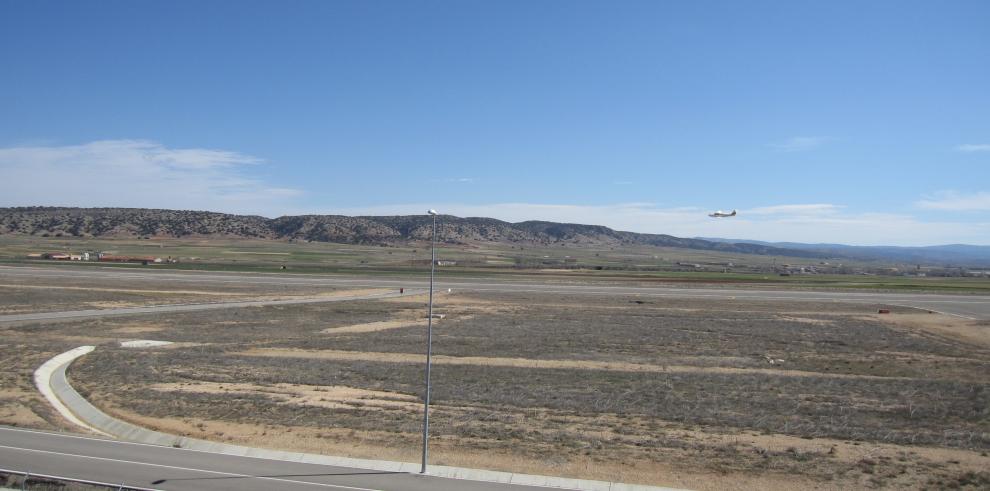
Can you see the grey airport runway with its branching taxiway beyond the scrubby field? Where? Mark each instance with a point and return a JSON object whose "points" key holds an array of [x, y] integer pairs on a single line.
{"points": [[966, 306]]}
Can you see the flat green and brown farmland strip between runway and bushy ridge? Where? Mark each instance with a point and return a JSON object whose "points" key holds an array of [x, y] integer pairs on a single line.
{"points": [[646, 264]]}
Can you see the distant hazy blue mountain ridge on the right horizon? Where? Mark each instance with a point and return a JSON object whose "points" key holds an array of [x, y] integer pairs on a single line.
{"points": [[948, 254]]}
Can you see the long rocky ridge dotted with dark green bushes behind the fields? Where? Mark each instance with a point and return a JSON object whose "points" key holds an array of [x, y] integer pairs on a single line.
{"points": [[138, 222]]}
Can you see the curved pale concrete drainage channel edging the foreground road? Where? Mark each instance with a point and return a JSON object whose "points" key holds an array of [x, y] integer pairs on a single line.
{"points": [[51, 379]]}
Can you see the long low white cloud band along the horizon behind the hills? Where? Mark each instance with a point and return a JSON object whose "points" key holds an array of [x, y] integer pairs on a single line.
{"points": [[788, 222]]}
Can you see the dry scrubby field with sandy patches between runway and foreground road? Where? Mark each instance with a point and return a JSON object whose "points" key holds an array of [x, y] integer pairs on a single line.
{"points": [[659, 391]]}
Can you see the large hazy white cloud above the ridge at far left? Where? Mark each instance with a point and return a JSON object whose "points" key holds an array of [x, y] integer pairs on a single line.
{"points": [[137, 173]]}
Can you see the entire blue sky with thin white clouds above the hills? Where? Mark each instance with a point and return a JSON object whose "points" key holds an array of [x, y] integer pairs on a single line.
{"points": [[856, 122]]}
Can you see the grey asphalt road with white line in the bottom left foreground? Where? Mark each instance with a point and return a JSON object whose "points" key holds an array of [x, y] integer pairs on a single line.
{"points": [[151, 466]]}
